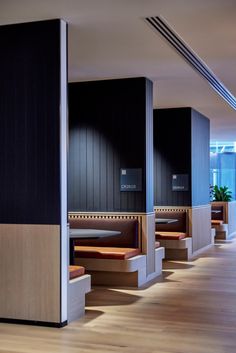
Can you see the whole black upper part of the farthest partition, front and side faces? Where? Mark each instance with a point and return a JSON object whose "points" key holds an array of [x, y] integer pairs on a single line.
{"points": [[181, 146]]}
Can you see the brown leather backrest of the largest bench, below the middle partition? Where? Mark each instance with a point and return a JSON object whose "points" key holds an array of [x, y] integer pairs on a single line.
{"points": [[129, 237]]}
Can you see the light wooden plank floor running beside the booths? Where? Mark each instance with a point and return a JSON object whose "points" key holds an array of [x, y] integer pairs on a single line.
{"points": [[191, 309]]}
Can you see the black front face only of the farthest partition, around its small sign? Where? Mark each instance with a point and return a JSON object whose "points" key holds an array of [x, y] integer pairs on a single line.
{"points": [[172, 155]]}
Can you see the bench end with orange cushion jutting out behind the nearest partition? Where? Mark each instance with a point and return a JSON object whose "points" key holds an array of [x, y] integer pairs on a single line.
{"points": [[79, 285]]}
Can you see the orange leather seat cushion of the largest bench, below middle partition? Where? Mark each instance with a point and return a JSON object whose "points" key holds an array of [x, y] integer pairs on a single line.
{"points": [[105, 252]]}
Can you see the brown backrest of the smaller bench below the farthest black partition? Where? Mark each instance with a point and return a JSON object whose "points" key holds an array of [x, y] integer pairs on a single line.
{"points": [[180, 226]]}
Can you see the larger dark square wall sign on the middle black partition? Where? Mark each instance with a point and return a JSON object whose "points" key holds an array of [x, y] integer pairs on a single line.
{"points": [[131, 179]]}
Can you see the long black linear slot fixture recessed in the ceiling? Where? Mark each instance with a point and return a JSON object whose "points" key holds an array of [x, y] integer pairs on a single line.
{"points": [[160, 25]]}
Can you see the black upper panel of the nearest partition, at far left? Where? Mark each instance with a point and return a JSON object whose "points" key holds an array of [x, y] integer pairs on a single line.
{"points": [[29, 119]]}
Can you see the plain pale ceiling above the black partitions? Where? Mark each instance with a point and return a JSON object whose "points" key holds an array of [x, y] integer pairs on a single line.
{"points": [[110, 39]]}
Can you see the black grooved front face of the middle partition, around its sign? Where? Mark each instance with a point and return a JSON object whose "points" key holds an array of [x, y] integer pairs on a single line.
{"points": [[107, 133]]}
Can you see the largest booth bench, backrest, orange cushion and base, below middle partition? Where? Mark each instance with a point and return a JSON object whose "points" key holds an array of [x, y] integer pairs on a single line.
{"points": [[116, 260]]}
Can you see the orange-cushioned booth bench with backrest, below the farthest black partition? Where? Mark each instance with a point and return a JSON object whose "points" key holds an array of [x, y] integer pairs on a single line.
{"points": [[174, 236]]}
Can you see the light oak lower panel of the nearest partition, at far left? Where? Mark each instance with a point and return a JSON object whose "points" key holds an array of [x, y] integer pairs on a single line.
{"points": [[30, 272]]}
